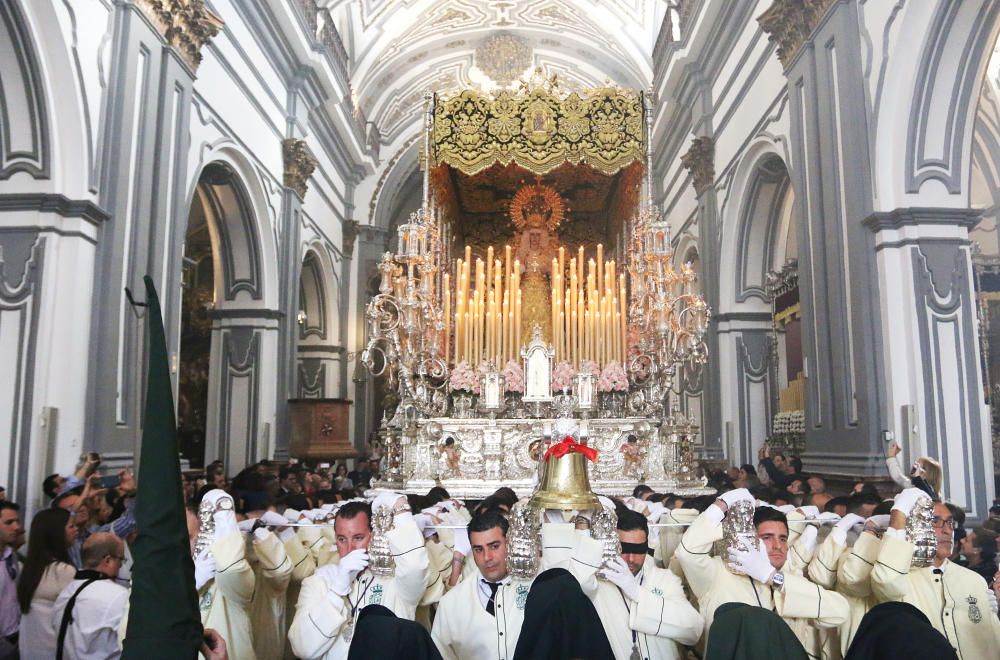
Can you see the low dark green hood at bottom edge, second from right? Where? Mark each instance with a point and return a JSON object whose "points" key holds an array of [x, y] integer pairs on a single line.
{"points": [[748, 632]]}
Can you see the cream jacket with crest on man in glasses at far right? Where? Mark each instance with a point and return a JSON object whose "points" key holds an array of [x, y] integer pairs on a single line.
{"points": [[956, 600]]}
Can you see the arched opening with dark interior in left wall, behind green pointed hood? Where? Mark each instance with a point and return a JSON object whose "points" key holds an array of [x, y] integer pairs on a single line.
{"points": [[226, 331]]}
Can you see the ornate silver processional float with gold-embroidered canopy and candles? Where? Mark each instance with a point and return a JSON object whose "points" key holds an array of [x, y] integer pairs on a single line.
{"points": [[493, 355]]}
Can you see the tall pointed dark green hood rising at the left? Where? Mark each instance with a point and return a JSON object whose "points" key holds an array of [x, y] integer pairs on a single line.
{"points": [[163, 620]]}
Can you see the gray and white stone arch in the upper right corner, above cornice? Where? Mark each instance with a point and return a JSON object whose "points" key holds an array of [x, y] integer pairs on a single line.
{"points": [[926, 106]]}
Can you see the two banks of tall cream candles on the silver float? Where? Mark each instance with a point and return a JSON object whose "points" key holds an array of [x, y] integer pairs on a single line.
{"points": [[588, 303]]}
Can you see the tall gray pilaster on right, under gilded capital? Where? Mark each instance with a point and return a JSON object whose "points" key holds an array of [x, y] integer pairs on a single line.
{"points": [[830, 176]]}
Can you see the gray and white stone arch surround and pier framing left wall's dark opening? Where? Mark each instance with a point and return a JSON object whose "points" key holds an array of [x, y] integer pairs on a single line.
{"points": [[244, 315]]}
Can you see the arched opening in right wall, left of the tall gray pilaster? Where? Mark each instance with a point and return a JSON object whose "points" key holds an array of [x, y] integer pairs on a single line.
{"points": [[759, 317]]}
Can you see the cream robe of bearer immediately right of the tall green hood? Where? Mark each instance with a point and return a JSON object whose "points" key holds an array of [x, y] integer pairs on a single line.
{"points": [[225, 600]]}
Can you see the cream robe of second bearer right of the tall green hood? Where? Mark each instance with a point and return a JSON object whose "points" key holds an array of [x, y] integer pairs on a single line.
{"points": [[272, 571]]}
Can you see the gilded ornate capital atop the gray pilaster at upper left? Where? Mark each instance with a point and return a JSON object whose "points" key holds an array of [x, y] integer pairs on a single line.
{"points": [[187, 25]]}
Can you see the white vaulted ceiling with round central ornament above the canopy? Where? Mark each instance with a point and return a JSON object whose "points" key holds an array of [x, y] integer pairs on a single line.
{"points": [[401, 49]]}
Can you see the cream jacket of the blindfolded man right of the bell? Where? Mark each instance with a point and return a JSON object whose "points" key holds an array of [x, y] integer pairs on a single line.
{"points": [[657, 624]]}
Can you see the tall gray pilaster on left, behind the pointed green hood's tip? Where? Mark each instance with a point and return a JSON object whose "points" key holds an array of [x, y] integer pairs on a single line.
{"points": [[145, 121]]}
